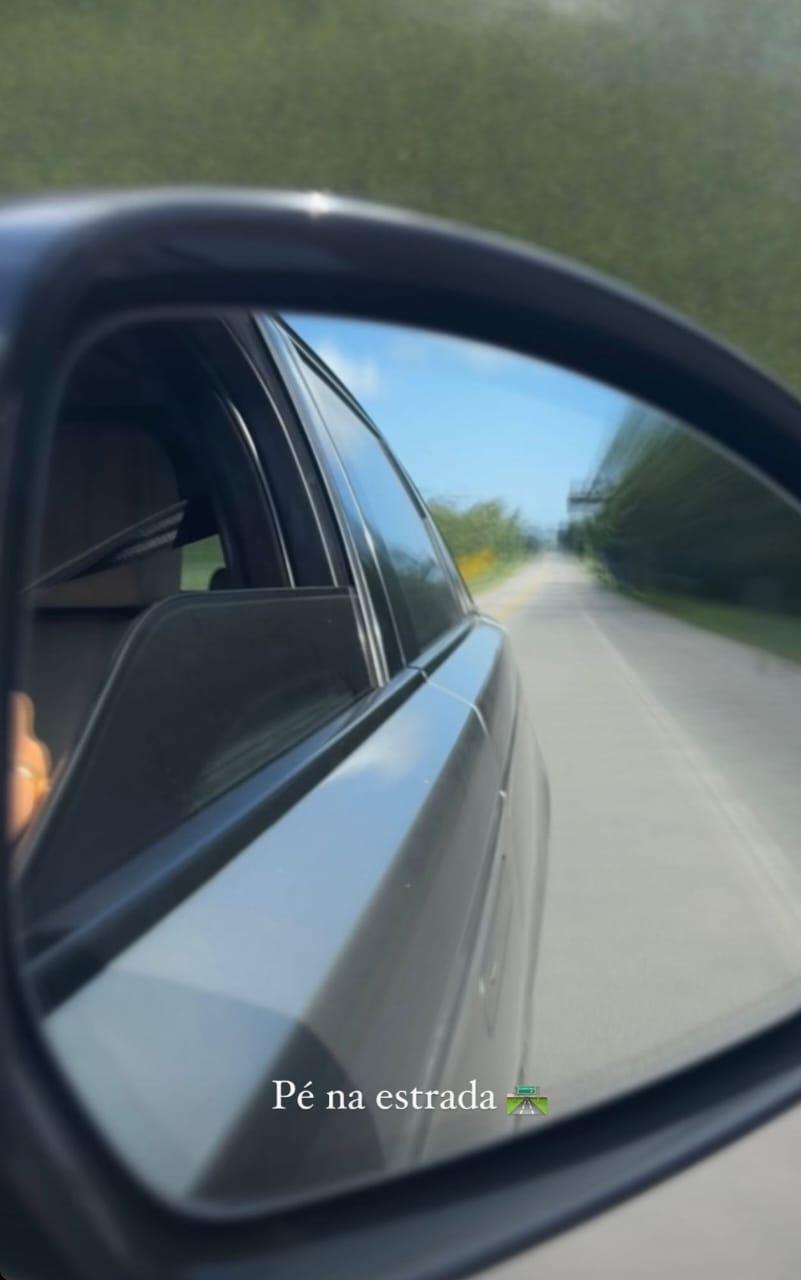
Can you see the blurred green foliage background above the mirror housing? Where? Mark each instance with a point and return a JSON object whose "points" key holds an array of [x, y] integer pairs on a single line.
{"points": [[654, 139]]}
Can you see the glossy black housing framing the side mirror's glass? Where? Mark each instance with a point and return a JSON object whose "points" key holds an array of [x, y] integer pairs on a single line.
{"points": [[76, 267]]}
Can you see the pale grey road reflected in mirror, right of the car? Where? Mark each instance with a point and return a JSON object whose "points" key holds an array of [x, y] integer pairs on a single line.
{"points": [[674, 911]]}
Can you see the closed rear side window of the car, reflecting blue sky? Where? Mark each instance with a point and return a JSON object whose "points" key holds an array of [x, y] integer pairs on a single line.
{"points": [[422, 593]]}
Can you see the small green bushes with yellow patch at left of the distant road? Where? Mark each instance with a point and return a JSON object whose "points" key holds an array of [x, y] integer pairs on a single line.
{"points": [[488, 541]]}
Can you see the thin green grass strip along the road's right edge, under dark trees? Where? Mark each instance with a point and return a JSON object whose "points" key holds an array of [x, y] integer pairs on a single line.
{"points": [[775, 633]]}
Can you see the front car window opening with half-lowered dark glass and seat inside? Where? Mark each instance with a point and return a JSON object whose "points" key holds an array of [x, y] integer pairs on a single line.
{"points": [[162, 669]]}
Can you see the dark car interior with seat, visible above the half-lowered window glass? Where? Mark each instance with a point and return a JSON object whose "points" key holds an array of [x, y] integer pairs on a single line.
{"points": [[126, 501]]}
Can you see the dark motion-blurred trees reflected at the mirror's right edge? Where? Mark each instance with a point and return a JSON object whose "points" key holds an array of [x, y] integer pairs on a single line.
{"points": [[672, 515]]}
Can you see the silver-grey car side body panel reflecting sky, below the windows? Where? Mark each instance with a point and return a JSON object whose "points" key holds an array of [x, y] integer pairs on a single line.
{"points": [[333, 950]]}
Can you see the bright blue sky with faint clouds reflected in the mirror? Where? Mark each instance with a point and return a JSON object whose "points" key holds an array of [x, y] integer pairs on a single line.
{"points": [[472, 422]]}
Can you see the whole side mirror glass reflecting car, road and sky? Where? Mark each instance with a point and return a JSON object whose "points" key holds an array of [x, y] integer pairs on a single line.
{"points": [[406, 749]]}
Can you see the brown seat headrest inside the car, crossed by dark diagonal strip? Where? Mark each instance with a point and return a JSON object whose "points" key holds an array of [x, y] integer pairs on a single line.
{"points": [[103, 479]]}
